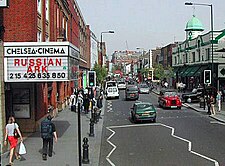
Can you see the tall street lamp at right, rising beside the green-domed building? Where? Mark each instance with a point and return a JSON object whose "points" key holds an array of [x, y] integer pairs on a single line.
{"points": [[211, 9]]}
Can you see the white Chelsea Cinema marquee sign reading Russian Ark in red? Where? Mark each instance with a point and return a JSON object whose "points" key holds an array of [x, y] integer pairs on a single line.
{"points": [[40, 61]]}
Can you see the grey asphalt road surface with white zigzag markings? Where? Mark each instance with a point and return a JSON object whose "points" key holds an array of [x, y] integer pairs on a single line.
{"points": [[179, 137]]}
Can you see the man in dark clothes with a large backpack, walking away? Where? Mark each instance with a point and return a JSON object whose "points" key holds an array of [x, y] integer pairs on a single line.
{"points": [[48, 131]]}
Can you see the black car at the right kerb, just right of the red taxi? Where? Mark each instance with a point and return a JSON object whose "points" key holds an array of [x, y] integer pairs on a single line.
{"points": [[193, 96]]}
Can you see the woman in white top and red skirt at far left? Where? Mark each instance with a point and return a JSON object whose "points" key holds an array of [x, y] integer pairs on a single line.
{"points": [[10, 130]]}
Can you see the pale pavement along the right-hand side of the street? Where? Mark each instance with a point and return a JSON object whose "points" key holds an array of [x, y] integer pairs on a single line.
{"points": [[219, 116]]}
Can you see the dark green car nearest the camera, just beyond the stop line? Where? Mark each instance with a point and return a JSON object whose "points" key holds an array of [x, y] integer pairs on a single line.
{"points": [[143, 111]]}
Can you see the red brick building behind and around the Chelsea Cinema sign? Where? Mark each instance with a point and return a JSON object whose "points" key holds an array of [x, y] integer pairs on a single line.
{"points": [[44, 21]]}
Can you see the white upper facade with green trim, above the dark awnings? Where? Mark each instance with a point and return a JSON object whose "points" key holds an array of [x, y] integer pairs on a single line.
{"points": [[198, 51]]}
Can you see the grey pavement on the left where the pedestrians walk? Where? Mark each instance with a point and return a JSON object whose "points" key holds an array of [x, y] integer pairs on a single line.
{"points": [[65, 151]]}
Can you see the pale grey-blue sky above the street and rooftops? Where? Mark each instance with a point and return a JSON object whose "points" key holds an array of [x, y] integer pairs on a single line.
{"points": [[146, 24]]}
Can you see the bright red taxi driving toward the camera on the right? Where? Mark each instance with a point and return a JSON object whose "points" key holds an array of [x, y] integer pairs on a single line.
{"points": [[169, 99]]}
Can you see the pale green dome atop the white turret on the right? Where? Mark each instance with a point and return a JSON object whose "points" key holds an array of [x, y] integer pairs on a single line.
{"points": [[194, 24]]}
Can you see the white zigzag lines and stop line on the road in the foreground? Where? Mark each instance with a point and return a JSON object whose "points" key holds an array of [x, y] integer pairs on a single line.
{"points": [[155, 124]]}
